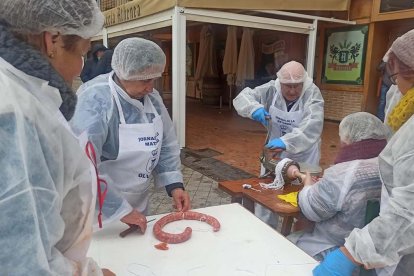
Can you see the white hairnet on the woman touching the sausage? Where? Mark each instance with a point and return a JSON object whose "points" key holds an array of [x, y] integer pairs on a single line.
{"points": [[138, 59]]}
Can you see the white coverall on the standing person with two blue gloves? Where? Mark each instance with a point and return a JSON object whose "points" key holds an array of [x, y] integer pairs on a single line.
{"points": [[300, 142]]}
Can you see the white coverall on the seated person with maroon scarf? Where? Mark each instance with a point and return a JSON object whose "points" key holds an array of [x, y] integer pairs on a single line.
{"points": [[337, 203]]}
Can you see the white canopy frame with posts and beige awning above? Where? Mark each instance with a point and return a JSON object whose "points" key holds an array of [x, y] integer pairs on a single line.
{"points": [[177, 16]]}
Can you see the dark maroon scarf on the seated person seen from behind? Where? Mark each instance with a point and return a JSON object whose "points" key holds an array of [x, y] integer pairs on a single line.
{"points": [[365, 149]]}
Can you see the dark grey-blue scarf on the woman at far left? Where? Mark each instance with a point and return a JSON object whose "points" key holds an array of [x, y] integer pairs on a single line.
{"points": [[32, 62]]}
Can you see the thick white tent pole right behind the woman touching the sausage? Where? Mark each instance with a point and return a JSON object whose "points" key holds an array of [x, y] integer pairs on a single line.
{"points": [[178, 73]]}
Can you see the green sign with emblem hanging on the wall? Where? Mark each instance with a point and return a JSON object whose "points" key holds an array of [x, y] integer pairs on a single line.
{"points": [[344, 58]]}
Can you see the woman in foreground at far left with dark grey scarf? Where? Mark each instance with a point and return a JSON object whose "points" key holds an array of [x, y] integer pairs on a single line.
{"points": [[46, 195]]}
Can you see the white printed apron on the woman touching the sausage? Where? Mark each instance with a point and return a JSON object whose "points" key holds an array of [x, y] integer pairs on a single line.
{"points": [[138, 154]]}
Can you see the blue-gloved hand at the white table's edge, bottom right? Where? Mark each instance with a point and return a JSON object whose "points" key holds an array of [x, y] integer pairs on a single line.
{"points": [[335, 264]]}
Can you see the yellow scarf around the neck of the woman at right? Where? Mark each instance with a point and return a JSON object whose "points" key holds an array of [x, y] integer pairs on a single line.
{"points": [[402, 111]]}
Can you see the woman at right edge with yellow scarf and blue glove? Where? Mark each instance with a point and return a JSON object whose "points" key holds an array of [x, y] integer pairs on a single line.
{"points": [[387, 243]]}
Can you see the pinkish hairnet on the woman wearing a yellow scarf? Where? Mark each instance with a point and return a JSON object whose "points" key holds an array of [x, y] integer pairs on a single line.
{"points": [[403, 48]]}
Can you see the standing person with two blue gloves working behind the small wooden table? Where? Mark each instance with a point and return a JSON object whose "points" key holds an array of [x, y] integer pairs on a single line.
{"points": [[295, 105]]}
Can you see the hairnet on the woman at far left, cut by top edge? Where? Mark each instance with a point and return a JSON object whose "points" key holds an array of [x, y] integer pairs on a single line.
{"points": [[68, 17]]}
